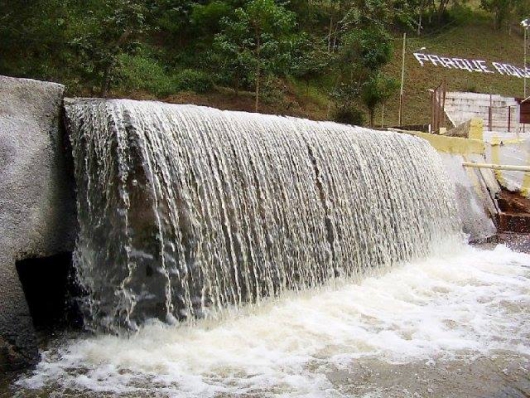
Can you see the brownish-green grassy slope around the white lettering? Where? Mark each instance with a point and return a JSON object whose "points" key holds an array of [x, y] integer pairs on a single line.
{"points": [[473, 40]]}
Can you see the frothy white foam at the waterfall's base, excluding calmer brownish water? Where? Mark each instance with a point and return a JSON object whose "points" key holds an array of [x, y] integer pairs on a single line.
{"points": [[471, 303]]}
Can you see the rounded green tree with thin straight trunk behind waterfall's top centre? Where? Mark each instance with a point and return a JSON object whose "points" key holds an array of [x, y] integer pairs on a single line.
{"points": [[256, 39]]}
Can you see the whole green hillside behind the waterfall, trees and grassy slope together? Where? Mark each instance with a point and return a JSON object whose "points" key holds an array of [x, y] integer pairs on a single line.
{"points": [[320, 59]]}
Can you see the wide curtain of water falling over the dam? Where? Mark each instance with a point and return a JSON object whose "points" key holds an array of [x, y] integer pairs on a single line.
{"points": [[185, 210]]}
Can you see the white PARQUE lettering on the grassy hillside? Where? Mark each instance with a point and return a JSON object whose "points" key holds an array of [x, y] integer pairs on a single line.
{"points": [[473, 65]]}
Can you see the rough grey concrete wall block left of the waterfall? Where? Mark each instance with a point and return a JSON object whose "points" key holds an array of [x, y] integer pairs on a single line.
{"points": [[37, 204]]}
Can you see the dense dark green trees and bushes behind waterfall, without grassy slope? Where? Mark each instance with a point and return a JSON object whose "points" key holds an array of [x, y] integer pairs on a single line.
{"points": [[163, 47]]}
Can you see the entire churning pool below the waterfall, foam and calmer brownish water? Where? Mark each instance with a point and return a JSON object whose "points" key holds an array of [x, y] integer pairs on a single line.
{"points": [[455, 324]]}
